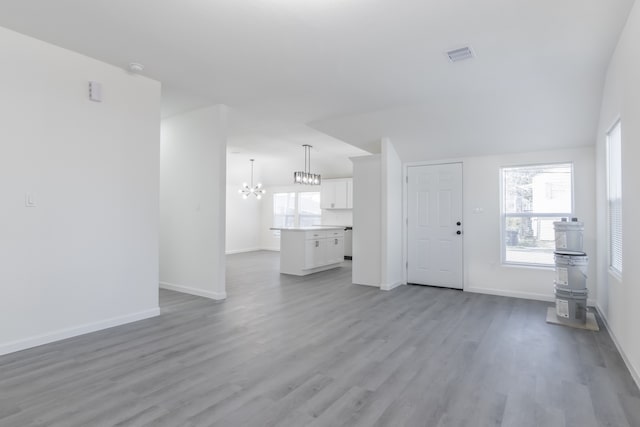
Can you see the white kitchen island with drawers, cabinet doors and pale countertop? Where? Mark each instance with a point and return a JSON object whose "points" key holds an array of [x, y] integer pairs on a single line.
{"points": [[307, 250]]}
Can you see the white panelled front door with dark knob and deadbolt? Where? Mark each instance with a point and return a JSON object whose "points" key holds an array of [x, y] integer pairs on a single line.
{"points": [[435, 225]]}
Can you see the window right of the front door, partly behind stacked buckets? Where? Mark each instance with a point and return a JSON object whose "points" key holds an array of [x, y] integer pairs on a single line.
{"points": [[533, 197]]}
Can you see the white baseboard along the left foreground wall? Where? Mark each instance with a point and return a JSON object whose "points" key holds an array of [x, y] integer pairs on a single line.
{"points": [[62, 334]]}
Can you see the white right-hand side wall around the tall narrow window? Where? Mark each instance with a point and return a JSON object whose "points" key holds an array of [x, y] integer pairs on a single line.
{"points": [[618, 298]]}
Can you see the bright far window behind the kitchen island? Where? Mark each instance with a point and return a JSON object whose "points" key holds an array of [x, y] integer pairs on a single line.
{"points": [[296, 209]]}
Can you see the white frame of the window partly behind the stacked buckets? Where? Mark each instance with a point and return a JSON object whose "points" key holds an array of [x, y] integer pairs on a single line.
{"points": [[504, 215]]}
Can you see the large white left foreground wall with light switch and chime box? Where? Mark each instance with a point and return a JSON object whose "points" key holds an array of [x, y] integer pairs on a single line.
{"points": [[86, 258]]}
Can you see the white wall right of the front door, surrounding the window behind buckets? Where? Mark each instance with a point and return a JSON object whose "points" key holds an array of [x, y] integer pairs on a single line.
{"points": [[483, 269]]}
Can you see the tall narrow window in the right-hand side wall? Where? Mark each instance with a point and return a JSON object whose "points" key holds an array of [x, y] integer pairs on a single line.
{"points": [[614, 196]]}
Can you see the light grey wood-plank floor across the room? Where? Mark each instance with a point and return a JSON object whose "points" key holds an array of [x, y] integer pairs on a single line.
{"points": [[319, 351]]}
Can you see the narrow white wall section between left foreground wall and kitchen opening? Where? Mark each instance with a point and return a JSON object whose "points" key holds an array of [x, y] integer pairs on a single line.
{"points": [[192, 202]]}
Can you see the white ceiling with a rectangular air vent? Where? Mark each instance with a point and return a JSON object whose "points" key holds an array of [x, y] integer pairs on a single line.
{"points": [[359, 70]]}
